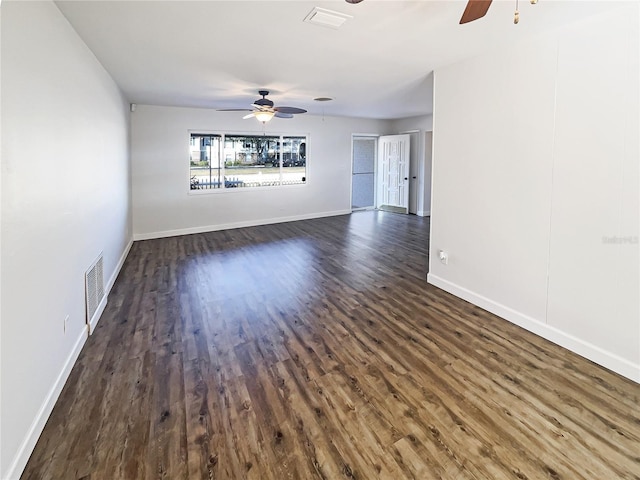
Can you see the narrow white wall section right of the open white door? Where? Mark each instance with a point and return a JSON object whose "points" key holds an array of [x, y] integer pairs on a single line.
{"points": [[420, 127]]}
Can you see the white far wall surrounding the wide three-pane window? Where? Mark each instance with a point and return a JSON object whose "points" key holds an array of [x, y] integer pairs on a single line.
{"points": [[163, 205]]}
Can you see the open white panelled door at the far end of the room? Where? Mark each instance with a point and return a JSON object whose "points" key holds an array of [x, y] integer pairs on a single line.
{"points": [[393, 173]]}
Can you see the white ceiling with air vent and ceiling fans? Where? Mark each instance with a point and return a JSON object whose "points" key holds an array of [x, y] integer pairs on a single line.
{"points": [[218, 54]]}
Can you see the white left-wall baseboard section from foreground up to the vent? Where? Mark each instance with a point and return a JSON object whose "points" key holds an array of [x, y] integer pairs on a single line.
{"points": [[28, 444]]}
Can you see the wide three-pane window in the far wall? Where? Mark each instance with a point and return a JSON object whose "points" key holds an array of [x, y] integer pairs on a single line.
{"points": [[222, 161]]}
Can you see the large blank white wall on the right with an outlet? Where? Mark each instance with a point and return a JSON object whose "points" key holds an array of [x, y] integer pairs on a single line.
{"points": [[535, 163]]}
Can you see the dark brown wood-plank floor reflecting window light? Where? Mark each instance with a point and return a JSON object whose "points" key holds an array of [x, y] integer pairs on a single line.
{"points": [[316, 350]]}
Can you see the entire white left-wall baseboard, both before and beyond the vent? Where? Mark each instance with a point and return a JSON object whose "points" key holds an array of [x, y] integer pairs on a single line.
{"points": [[26, 448]]}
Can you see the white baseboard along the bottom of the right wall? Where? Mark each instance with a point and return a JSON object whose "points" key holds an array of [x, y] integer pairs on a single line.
{"points": [[592, 352]]}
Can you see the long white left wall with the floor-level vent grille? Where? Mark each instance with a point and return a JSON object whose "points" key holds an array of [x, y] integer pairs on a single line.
{"points": [[65, 198]]}
